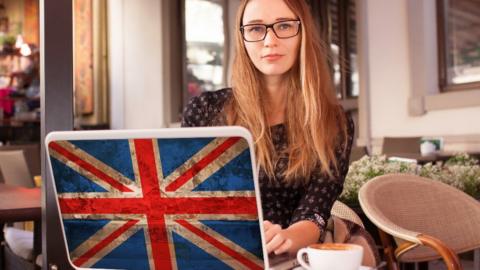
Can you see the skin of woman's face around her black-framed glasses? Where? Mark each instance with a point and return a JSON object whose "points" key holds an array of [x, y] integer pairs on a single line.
{"points": [[272, 56]]}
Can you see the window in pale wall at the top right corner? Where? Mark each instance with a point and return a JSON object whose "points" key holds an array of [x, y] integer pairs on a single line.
{"points": [[459, 44]]}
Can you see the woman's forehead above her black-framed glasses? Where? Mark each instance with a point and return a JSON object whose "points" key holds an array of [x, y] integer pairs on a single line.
{"points": [[266, 11]]}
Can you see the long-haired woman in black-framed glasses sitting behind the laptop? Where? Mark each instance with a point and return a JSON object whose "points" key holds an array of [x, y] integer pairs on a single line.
{"points": [[283, 93]]}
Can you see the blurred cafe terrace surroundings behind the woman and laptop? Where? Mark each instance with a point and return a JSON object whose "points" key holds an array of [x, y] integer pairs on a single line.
{"points": [[407, 71]]}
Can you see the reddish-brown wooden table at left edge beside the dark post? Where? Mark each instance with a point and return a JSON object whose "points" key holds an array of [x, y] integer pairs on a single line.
{"points": [[19, 204]]}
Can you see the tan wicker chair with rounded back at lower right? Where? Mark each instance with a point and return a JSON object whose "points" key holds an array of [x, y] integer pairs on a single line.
{"points": [[427, 219]]}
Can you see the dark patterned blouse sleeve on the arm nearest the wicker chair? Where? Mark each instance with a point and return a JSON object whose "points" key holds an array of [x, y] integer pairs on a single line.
{"points": [[322, 192]]}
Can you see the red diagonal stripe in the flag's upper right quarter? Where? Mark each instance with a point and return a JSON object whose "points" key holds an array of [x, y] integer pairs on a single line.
{"points": [[204, 162]]}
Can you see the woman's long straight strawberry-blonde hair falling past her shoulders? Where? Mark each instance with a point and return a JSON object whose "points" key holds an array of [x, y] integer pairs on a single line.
{"points": [[313, 118]]}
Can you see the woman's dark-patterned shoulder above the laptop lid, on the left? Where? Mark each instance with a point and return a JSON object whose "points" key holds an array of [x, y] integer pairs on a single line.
{"points": [[201, 109]]}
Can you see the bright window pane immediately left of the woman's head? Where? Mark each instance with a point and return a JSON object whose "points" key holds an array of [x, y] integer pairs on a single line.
{"points": [[204, 42]]}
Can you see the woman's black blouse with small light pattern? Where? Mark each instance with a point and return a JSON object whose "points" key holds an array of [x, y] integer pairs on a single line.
{"points": [[282, 204]]}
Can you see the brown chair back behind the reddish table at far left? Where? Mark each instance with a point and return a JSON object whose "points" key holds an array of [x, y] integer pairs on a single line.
{"points": [[14, 169]]}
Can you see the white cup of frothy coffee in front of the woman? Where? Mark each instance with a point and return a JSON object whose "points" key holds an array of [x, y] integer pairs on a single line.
{"points": [[331, 256]]}
